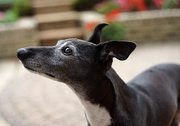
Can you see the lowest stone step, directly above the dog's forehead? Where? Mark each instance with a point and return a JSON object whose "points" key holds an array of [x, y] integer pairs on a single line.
{"points": [[50, 37]]}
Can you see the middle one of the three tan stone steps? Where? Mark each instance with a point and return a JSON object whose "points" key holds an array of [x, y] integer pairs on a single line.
{"points": [[57, 20]]}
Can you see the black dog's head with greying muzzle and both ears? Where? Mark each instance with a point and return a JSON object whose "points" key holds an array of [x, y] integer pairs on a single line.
{"points": [[74, 60]]}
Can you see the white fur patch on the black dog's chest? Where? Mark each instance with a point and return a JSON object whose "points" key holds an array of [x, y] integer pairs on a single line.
{"points": [[96, 115]]}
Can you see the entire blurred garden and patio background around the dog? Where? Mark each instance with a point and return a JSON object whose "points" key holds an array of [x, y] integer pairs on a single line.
{"points": [[27, 99]]}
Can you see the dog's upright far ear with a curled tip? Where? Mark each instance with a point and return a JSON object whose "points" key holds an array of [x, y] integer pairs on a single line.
{"points": [[96, 36]]}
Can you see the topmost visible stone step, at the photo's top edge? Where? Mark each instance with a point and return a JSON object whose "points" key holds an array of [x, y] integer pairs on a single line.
{"points": [[51, 6]]}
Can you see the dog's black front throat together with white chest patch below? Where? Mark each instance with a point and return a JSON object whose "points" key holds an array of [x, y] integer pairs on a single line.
{"points": [[97, 97]]}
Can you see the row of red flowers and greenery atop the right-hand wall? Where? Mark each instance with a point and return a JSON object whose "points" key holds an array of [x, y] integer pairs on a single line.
{"points": [[135, 5]]}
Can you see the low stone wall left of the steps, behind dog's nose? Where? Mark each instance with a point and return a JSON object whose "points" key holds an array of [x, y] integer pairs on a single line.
{"points": [[15, 35]]}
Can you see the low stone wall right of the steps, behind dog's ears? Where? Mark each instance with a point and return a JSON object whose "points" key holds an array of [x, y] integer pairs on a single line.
{"points": [[146, 26]]}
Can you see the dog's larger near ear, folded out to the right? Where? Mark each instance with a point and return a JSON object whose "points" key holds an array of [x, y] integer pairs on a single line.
{"points": [[118, 49]]}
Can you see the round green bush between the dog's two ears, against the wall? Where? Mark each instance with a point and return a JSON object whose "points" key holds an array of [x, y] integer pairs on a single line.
{"points": [[115, 31]]}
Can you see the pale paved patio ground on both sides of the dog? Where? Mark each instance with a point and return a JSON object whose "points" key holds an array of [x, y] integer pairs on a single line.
{"points": [[28, 99]]}
